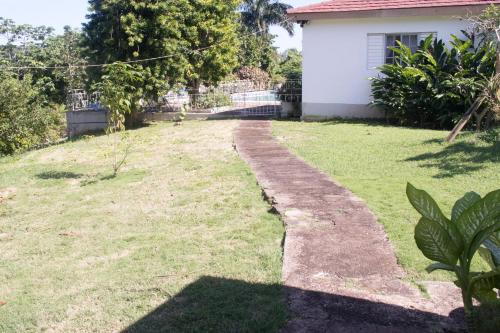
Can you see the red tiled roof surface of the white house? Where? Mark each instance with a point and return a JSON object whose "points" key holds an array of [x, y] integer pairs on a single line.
{"points": [[366, 5]]}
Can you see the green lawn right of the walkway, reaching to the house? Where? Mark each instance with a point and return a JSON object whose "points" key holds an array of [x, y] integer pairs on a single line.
{"points": [[376, 162]]}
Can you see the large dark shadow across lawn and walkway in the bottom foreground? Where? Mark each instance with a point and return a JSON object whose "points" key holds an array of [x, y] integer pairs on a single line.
{"points": [[213, 304]]}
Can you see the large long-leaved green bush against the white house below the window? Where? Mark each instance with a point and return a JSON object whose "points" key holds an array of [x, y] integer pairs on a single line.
{"points": [[434, 86]]}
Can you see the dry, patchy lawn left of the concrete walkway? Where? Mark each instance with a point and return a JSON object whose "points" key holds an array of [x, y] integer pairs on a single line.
{"points": [[180, 241]]}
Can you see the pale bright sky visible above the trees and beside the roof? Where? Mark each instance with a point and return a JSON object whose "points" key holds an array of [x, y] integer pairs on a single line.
{"points": [[58, 13]]}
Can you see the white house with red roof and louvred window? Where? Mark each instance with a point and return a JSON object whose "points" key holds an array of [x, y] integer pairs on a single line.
{"points": [[345, 41]]}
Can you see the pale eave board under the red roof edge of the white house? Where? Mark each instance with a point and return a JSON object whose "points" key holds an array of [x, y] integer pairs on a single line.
{"points": [[382, 13]]}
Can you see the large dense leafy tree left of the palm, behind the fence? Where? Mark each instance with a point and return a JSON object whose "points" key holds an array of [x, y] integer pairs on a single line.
{"points": [[194, 42]]}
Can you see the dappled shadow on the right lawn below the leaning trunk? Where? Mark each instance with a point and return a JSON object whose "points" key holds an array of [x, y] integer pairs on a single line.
{"points": [[459, 158]]}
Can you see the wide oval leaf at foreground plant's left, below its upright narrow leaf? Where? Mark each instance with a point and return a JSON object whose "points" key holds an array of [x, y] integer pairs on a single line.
{"points": [[435, 243]]}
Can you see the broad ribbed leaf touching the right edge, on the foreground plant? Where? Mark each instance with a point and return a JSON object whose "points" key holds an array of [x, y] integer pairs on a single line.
{"points": [[480, 216]]}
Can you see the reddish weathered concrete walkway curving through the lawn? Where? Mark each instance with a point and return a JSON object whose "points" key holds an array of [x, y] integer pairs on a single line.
{"points": [[339, 269]]}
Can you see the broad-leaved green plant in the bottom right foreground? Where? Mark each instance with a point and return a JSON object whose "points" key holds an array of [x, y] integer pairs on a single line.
{"points": [[474, 227]]}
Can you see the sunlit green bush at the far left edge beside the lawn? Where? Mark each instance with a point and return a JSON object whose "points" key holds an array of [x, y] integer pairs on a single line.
{"points": [[26, 120]]}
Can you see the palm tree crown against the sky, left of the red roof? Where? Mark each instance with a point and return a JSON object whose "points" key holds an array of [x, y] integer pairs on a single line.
{"points": [[259, 15]]}
